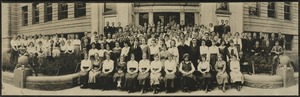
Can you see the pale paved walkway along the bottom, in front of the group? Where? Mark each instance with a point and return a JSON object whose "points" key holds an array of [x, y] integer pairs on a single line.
{"points": [[12, 90]]}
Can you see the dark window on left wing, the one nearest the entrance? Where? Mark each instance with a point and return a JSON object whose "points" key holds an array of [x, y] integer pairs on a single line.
{"points": [[80, 9]]}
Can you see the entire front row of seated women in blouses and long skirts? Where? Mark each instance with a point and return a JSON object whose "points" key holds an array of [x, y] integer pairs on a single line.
{"points": [[145, 74]]}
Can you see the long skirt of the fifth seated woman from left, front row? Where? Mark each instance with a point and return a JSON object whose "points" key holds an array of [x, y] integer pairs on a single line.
{"points": [[130, 80]]}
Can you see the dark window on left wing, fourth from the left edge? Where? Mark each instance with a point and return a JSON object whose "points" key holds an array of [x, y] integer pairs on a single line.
{"points": [[62, 11]]}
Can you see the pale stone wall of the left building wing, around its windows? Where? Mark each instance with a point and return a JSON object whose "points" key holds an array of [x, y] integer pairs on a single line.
{"points": [[68, 25]]}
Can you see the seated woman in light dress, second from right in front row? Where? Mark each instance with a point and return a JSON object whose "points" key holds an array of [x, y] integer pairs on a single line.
{"points": [[222, 77]]}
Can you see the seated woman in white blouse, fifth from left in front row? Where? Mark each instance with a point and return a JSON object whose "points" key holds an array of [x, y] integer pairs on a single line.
{"points": [[131, 75]]}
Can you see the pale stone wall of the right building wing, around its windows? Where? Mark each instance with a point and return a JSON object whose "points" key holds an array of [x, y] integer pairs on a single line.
{"points": [[263, 23]]}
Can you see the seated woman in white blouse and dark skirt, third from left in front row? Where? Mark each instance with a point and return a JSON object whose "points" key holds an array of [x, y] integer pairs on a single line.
{"points": [[107, 71]]}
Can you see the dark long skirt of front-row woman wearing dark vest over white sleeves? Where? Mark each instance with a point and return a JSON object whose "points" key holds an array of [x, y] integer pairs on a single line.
{"points": [[187, 81]]}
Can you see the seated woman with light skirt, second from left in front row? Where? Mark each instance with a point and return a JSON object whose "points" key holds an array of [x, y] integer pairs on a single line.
{"points": [[95, 71]]}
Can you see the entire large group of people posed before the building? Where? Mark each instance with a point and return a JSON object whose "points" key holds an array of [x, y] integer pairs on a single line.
{"points": [[158, 56]]}
